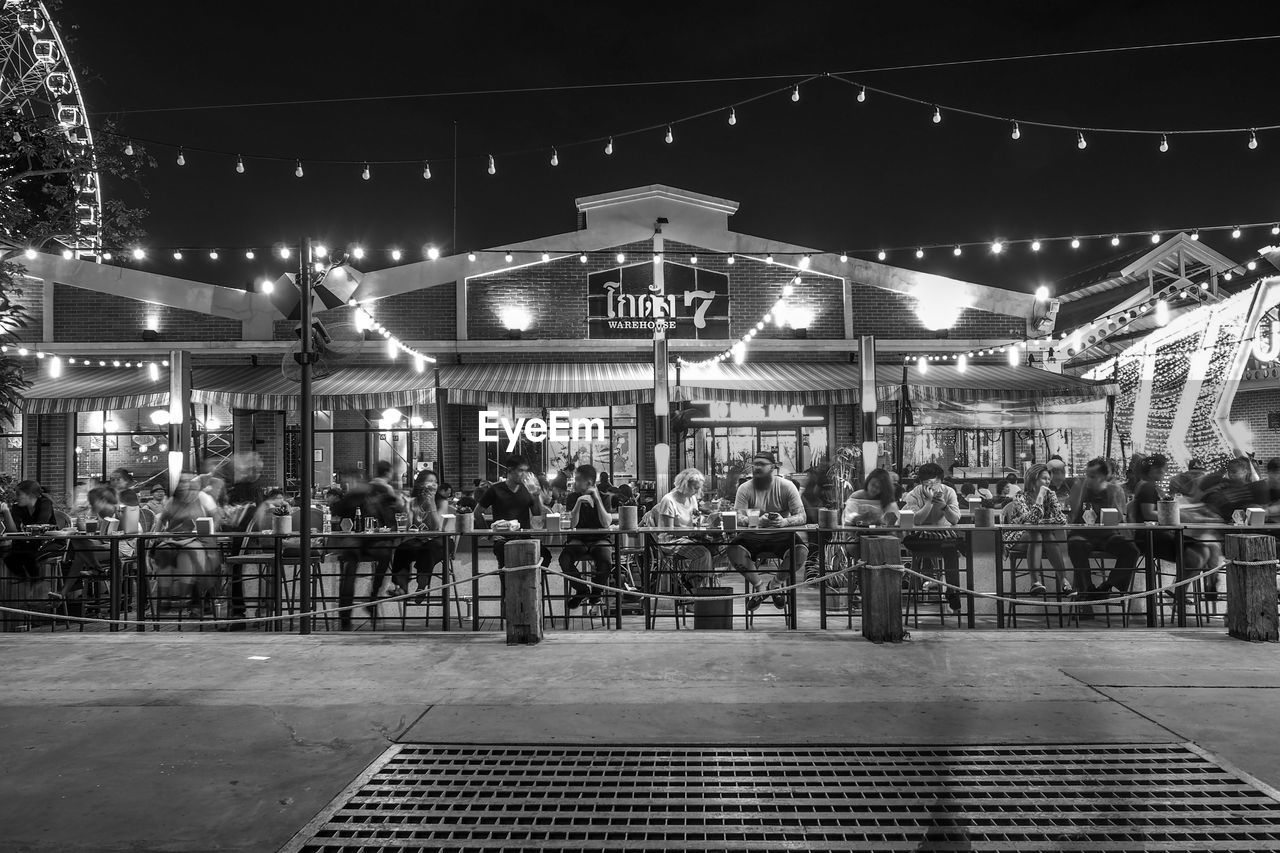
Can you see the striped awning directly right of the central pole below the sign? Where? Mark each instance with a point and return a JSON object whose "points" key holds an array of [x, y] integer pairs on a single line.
{"points": [[784, 384]]}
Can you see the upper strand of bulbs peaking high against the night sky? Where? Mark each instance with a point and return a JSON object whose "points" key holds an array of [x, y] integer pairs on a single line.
{"points": [[1249, 135]]}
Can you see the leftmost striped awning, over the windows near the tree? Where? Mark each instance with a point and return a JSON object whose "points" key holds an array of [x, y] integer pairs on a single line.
{"points": [[84, 389]]}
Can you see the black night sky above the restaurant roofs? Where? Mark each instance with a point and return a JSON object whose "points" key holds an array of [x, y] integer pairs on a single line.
{"points": [[825, 172]]}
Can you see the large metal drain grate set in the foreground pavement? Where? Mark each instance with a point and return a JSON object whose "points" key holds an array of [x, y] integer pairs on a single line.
{"points": [[1148, 797]]}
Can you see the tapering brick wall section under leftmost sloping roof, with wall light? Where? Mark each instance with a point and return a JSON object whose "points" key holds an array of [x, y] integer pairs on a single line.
{"points": [[89, 316]]}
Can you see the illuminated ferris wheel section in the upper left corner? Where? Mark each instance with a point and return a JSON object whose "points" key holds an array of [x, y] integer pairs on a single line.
{"points": [[38, 81]]}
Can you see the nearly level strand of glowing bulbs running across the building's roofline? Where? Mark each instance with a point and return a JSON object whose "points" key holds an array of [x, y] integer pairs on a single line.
{"points": [[996, 247]]}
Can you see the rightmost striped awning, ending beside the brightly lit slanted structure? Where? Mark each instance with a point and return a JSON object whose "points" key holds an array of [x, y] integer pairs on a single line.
{"points": [[984, 384]]}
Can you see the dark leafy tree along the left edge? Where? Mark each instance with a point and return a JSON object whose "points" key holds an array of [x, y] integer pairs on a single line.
{"points": [[45, 171]]}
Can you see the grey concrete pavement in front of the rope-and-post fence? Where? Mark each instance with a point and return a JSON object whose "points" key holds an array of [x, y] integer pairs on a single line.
{"points": [[185, 742]]}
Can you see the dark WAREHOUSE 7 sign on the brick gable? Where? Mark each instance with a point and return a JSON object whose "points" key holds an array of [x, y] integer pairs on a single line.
{"points": [[624, 303]]}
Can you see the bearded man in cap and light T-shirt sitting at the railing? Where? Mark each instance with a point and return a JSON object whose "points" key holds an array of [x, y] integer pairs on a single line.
{"points": [[780, 507]]}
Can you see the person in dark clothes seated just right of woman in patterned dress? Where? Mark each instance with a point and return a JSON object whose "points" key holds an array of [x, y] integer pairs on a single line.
{"points": [[1092, 495]]}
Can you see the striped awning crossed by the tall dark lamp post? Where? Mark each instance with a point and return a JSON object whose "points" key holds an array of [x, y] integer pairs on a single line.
{"points": [[267, 389]]}
